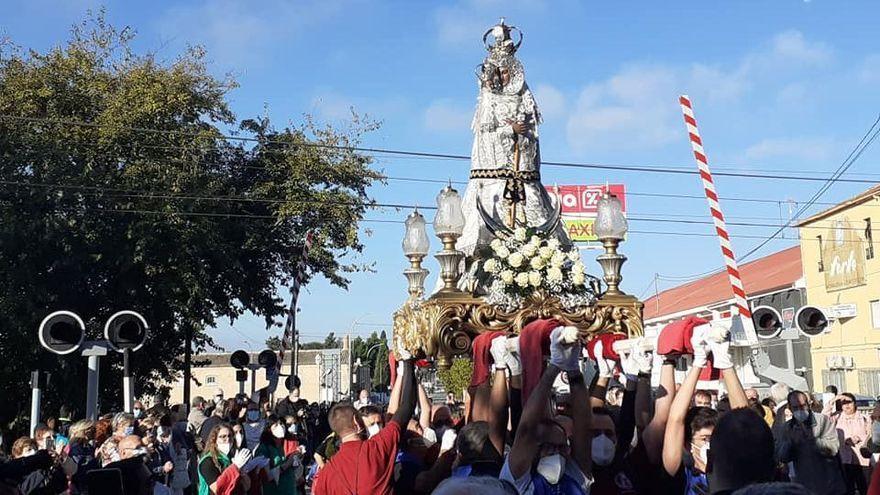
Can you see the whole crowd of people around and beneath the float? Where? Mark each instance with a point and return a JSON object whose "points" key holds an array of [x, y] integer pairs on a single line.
{"points": [[530, 423]]}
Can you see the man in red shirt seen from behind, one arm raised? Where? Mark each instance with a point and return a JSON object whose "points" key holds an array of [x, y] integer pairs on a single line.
{"points": [[361, 466]]}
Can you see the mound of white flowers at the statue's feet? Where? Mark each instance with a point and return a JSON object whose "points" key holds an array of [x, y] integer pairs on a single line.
{"points": [[514, 268]]}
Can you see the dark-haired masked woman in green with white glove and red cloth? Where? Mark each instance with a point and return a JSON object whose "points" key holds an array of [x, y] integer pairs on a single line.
{"points": [[220, 465]]}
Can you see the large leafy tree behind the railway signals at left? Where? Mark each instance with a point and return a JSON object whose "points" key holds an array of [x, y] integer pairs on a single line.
{"points": [[148, 207]]}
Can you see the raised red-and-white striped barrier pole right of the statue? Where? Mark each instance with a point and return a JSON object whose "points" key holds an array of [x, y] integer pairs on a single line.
{"points": [[739, 293]]}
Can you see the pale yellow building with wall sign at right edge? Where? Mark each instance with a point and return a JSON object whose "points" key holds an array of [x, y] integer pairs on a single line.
{"points": [[843, 279]]}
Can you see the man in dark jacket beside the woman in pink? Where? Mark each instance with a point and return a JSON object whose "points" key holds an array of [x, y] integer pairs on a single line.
{"points": [[810, 442]]}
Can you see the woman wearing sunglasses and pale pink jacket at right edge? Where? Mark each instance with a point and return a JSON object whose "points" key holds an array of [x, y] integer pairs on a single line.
{"points": [[854, 428]]}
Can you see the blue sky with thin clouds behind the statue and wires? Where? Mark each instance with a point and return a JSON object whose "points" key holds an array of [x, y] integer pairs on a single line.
{"points": [[778, 86]]}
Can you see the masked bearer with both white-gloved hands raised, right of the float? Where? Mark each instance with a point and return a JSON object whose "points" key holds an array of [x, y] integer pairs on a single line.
{"points": [[688, 432]]}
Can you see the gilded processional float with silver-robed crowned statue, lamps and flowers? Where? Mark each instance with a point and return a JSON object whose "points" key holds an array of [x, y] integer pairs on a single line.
{"points": [[506, 258]]}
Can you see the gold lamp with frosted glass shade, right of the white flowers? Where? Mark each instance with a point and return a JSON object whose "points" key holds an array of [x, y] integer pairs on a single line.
{"points": [[610, 228]]}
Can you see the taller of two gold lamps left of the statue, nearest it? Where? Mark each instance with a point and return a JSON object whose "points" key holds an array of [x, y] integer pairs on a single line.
{"points": [[448, 226]]}
